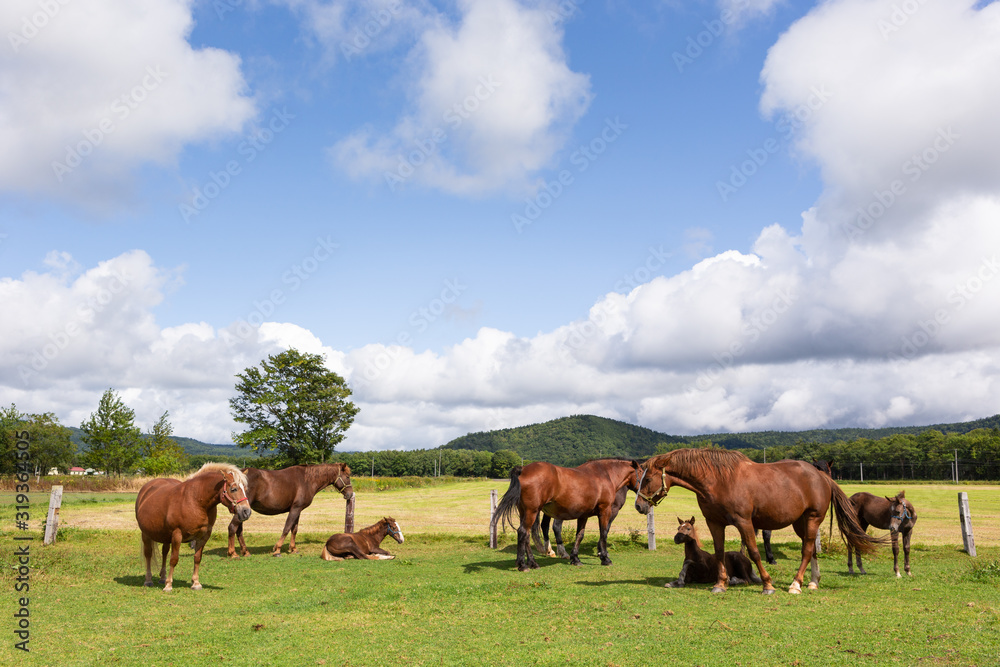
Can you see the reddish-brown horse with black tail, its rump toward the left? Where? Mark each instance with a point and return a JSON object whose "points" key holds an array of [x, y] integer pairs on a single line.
{"points": [[565, 493]]}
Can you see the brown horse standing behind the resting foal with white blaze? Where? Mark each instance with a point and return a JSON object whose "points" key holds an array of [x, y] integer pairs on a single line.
{"points": [[288, 490]]}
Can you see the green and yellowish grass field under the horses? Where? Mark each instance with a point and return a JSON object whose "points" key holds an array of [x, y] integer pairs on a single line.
{"points": [[450, 600]]}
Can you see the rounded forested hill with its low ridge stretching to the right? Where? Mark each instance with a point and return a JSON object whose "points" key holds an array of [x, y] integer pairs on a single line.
{"points": [[572, 440]]}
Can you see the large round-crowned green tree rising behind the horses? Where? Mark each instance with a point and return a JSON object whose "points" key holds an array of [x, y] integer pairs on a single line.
{"points": [[294, 406]]}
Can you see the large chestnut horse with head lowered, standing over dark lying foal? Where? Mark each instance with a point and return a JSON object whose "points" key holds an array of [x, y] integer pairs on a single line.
{"points": [[733, 490]]}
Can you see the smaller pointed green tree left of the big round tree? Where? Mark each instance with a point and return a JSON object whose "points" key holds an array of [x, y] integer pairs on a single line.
{"points": [[112, 438]]}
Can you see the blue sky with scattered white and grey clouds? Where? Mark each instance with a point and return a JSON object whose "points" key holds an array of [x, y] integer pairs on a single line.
{"points": [[655, 212]]}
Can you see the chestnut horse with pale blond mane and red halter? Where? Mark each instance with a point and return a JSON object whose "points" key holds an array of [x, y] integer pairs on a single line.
{"points": [[171, 511]]}
